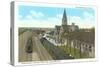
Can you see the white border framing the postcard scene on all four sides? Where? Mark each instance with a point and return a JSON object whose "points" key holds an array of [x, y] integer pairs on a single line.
{"points": [[49, 5]]}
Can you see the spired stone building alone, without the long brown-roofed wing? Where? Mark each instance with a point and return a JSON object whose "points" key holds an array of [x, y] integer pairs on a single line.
{"points": [[64, 28]]}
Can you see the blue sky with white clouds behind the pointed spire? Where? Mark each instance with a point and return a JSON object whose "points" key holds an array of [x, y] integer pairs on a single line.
{"points": [[48, 17]]}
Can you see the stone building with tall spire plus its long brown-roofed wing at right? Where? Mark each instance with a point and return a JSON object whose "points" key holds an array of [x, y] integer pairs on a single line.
{"points": [[85, 38]]}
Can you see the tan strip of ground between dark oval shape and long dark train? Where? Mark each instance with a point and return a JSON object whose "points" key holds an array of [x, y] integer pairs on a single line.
{"points": [[42, 52]]}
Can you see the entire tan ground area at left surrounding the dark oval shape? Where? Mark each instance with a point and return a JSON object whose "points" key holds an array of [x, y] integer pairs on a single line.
{"points": [[39, 52]]}
